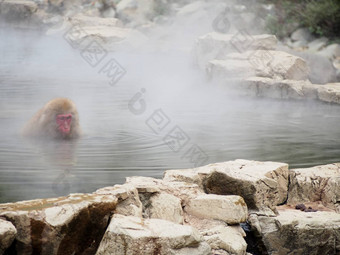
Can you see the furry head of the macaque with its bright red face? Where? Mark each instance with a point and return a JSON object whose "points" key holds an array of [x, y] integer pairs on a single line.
{"points": [[60, 118]]}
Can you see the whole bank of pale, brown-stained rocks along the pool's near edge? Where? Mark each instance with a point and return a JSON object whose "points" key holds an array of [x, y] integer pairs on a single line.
{"points": [[235, 207]]}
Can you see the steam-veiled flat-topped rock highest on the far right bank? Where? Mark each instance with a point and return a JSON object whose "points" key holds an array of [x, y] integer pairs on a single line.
{"points": [[218, 45]]}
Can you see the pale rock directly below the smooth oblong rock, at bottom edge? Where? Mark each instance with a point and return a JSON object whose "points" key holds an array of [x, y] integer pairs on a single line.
{"points": [[228, 239]]}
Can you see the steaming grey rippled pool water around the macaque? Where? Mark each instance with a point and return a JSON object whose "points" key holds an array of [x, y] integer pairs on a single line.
{"points": [[122, 141]]}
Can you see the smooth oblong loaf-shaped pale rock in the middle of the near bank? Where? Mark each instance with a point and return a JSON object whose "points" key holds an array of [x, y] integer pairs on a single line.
{"points": [[230, 209]]}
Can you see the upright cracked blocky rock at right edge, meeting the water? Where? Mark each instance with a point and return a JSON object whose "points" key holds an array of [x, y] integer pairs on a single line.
{"points": [[319, 183]]}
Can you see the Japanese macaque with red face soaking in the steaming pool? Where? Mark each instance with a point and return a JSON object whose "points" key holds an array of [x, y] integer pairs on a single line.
{"points": [[57, 119]]}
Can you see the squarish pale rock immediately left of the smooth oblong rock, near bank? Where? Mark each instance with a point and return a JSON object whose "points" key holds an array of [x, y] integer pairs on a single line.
{"points": [[167, 207]]}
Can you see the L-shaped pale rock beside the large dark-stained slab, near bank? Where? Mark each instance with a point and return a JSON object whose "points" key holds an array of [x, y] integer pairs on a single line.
{"points": [[129, 203]]}
